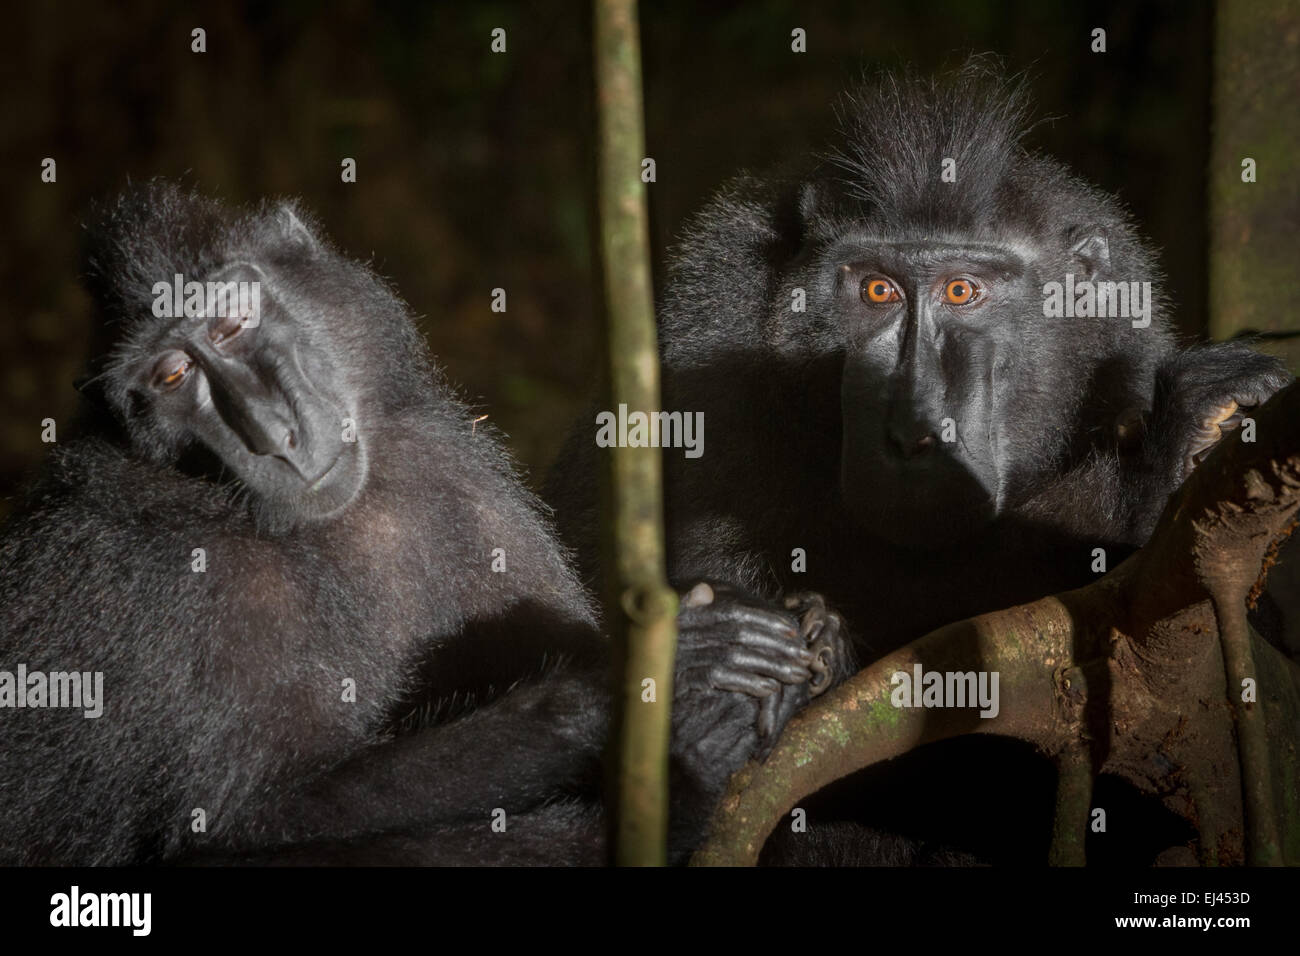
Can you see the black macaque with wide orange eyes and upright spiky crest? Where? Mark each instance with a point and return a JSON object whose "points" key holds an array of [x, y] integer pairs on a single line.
{"points": [[937, 371]]}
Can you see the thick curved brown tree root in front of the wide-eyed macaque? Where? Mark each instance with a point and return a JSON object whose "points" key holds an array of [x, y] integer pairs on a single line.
{"points": [[1129, 671]]}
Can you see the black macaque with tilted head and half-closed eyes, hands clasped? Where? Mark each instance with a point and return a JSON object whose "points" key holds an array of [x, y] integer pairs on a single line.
{"points": [[315, 609]]}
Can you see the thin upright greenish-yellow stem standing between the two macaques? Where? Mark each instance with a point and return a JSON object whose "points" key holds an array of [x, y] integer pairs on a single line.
{"points": [[643, 613]]}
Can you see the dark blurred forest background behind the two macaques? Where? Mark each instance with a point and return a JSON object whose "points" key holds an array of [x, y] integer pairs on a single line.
{"points": [[478, 170]]}
